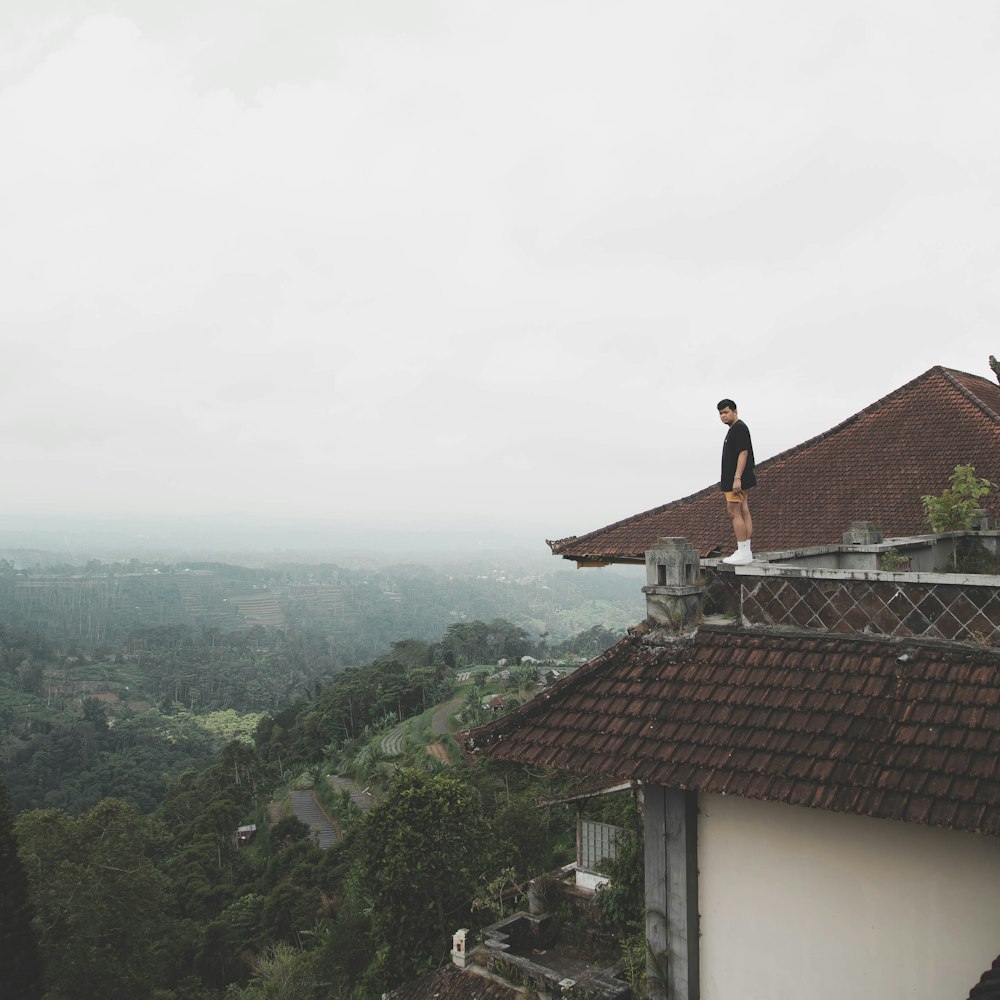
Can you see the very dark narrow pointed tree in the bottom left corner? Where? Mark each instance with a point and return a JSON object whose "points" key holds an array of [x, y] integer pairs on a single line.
{"points": [[20, 961]]}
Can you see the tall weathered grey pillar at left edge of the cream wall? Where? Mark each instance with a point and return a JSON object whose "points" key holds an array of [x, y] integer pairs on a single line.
{"points": [[670, 826]]}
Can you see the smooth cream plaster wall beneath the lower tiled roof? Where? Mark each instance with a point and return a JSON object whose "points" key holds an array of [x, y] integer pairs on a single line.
{"points": [[800, 903]]}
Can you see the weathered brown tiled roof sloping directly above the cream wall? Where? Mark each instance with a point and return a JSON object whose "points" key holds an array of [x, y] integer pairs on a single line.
{"points": [[813, 720]]}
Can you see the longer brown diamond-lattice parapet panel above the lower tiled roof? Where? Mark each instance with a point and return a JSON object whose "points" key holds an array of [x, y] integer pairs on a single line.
{"points": [[962, 612]]}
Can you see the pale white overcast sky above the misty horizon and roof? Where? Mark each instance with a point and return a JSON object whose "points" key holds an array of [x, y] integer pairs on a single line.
{"points": [[430, 262]]}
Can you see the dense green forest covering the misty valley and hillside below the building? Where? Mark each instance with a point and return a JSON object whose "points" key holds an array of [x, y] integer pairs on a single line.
{"points": [[131, 757]]}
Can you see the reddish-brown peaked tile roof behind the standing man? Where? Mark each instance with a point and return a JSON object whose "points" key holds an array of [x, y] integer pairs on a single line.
{"points": [[877, 463]]}
